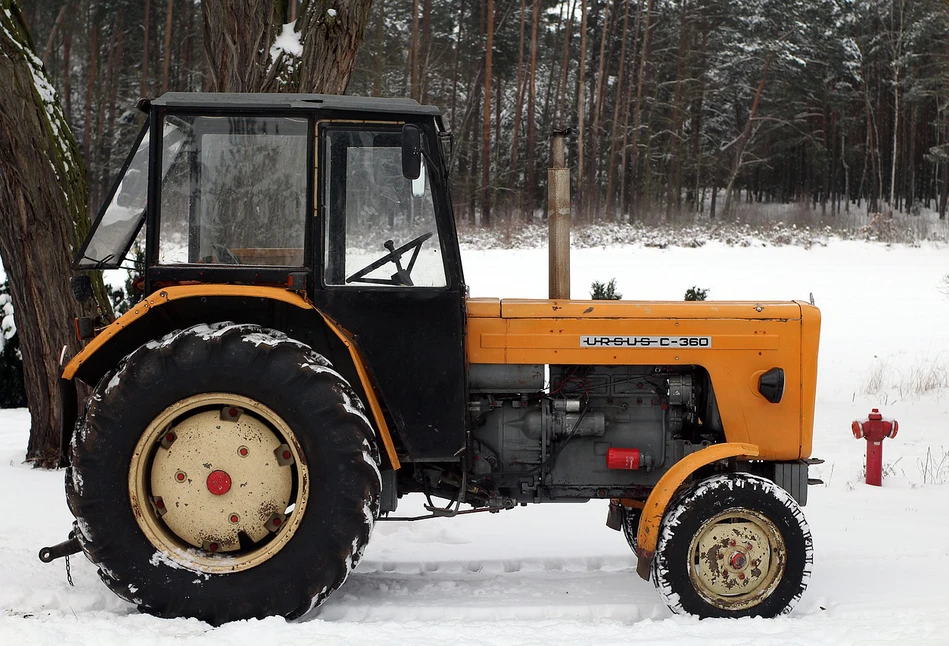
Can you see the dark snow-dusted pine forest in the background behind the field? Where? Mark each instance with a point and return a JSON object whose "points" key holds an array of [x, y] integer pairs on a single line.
{"points": [[676, 109]]}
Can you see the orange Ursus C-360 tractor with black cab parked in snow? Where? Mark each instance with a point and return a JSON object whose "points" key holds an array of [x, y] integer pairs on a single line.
{"points": [[305, 353]]}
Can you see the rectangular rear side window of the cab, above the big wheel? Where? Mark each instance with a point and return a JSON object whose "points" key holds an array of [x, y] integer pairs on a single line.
{"points": [[234, 191]]}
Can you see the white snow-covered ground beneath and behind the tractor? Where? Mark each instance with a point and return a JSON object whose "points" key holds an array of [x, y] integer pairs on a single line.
{"points": [[555, 574]]}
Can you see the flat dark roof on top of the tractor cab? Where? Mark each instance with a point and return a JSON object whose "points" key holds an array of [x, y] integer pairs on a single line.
{"points": [[274, 101]]}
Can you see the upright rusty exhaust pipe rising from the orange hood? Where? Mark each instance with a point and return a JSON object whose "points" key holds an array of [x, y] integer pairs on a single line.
{"points": [[558, 218]]}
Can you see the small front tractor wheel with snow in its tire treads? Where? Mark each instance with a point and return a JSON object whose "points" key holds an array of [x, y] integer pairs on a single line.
{"points": [[733, 545]]}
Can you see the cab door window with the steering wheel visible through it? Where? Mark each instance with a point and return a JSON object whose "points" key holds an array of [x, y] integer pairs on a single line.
{"points": [[380, 227]]}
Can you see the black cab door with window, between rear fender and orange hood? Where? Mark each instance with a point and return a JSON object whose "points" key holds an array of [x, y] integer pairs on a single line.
{"points": [[391, 276]]}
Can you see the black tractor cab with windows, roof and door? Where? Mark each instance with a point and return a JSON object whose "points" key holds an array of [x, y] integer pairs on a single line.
{"points": [[341, 199]]}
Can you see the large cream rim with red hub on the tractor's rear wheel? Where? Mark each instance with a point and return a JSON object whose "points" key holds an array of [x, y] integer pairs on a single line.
{"points": [[218, 483]]}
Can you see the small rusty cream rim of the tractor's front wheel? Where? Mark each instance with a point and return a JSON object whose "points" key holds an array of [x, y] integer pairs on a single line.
{"points": [[737, 559]]}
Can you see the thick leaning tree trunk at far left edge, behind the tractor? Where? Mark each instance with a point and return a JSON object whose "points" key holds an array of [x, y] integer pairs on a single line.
{"points": [[43, 190]]}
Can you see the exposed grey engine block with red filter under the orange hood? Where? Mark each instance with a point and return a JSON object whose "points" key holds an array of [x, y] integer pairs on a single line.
{"points": [[595, 431]]}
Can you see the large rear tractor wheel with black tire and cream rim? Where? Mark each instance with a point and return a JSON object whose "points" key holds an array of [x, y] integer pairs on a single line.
{"points": [[224, 472]]}
